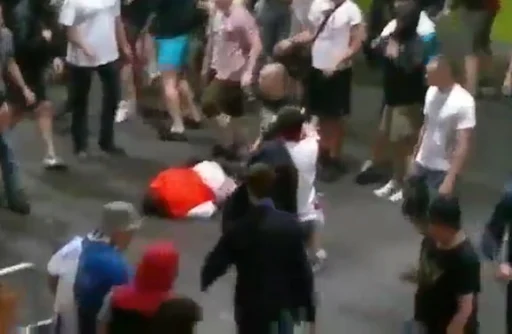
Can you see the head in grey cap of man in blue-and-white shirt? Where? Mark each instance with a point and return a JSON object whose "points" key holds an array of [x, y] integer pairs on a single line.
{"points": [[119, 222]]}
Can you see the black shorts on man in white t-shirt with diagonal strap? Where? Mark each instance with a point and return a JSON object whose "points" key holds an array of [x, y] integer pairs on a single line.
{"points": [[329, 97]]}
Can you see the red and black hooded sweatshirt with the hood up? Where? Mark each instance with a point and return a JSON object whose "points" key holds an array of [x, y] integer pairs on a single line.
{"points": [[133, 305]]}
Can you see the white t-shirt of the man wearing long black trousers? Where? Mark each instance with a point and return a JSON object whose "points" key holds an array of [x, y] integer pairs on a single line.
{"points": [[95, 21]]}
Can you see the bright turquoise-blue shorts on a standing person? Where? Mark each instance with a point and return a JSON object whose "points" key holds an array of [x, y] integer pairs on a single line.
{"points": [[172, 52]]}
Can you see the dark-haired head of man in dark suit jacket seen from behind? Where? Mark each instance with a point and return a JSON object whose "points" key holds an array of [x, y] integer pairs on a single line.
{"points": [[260, 180]]}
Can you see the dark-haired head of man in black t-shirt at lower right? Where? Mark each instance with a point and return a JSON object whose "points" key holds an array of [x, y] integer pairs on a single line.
{"points": [[444, 216]]}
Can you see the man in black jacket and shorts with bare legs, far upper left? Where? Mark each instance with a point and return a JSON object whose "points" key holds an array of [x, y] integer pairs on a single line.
{"points": [[37, 45]]}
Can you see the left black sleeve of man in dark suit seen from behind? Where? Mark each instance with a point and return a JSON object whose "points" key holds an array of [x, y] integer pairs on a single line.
{"points": [[217, 262]]}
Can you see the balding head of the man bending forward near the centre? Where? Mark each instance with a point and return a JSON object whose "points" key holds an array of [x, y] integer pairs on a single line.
{"points": [[273, 81]]}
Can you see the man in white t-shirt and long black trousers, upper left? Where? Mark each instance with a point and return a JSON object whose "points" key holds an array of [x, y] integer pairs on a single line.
{"points": [[95, 34]]}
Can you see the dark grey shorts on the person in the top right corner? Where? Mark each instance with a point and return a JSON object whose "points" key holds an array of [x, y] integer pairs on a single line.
{"points": [[477, 28]]}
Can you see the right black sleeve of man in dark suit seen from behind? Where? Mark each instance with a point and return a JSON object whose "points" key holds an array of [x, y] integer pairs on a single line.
{"points": [[304, 282]]}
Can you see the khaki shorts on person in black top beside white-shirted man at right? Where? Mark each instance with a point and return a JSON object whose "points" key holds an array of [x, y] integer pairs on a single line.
{"points": [[400, 122]]}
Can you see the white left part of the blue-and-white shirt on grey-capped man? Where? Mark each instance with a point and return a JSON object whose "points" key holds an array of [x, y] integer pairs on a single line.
{"points": [[63, 264]]}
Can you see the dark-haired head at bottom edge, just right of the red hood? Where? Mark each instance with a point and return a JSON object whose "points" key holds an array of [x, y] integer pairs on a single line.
{"points": [[177, 315]]}
